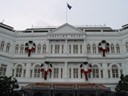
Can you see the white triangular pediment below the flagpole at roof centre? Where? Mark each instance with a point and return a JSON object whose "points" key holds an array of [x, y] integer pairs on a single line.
{"points": [[67, 29]]}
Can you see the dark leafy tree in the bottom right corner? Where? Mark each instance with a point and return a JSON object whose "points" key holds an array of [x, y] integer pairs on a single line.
{"points": [[122, 86]]}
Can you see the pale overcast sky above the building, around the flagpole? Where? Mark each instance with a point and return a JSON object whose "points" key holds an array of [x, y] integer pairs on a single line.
{"points": [[22, 14]]}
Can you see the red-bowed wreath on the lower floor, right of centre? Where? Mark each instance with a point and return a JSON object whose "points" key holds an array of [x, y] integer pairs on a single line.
{"points": [[86, 68]]}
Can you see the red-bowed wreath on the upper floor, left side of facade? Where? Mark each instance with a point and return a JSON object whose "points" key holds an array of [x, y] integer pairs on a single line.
{"points": [[29, 47]]}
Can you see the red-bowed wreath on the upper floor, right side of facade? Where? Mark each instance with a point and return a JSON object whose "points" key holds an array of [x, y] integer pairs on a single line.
{"points": [[103, 47]]}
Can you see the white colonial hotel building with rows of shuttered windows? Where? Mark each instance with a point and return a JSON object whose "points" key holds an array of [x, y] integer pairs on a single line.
{"points": [[66, 48]]}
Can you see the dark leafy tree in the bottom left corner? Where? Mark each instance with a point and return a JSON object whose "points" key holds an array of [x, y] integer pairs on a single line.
{"points": [[7, 85]]}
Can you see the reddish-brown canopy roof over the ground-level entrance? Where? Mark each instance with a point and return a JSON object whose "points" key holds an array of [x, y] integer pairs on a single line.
{"points": [[66, 86]]}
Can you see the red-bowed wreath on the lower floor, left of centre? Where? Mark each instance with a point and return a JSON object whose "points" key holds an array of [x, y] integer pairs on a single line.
{"points": [[45, 68]]}
